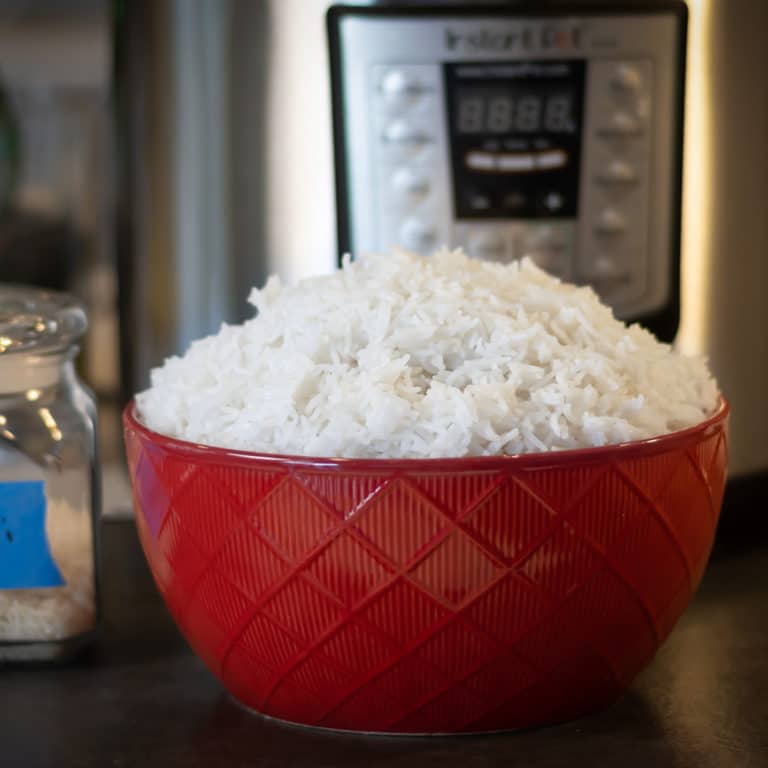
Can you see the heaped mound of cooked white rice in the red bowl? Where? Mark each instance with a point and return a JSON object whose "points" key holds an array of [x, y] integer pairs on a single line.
{"points": [[398, 355]]}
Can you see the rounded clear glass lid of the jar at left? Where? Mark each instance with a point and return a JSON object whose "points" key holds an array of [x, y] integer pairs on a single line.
{"points": [[37, 321]]}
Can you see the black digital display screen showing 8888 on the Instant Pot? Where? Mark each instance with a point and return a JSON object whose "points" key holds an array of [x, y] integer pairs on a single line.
{"points": [[515, 136]]}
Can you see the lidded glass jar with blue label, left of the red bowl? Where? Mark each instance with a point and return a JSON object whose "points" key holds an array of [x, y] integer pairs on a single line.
{"points": [[49, 487]]}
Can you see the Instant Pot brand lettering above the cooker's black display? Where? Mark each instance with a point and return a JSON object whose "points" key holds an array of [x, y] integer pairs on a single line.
{"points": [[544, 37]]}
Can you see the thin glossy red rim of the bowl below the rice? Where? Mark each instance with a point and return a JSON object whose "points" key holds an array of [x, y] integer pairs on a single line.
{"points": [[610, 453]]}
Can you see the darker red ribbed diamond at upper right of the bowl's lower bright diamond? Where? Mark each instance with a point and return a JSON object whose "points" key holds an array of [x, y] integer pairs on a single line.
{"points": [[511, 537]]}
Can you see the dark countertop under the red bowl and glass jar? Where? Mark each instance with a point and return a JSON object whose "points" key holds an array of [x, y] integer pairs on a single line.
{"points": [[140, 698]]}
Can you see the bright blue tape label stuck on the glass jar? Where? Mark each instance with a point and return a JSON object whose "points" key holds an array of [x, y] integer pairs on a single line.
{"points": [[25, 558]]}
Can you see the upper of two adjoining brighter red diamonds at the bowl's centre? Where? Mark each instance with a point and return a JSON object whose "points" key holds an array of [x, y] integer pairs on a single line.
{"points": [[400, 523]]}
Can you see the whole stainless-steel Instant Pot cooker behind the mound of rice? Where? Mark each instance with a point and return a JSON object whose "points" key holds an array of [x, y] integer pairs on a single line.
{"points": [[270, 137]]}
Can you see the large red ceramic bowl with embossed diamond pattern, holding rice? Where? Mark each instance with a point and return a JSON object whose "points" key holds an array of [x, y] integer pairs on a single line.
{"points": [[428, 596]]}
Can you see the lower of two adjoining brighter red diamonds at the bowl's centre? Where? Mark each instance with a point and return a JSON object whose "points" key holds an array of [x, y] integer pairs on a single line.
{"points": [[455, 570]]}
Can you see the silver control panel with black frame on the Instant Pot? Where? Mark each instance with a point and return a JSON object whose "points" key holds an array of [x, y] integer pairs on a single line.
{"points": [[545, 130]]}
